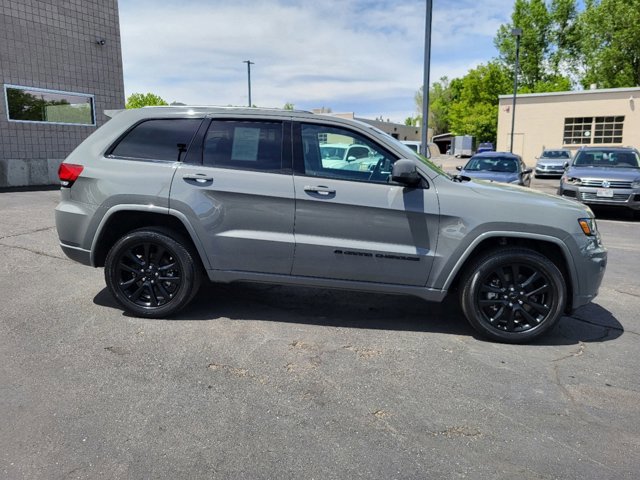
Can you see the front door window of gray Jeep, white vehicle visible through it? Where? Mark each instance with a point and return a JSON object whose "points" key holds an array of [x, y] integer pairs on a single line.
{"points": [[333, 152]]}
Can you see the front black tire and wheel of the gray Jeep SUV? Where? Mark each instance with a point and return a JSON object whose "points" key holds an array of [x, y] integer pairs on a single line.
{"points": [[513, 295]]}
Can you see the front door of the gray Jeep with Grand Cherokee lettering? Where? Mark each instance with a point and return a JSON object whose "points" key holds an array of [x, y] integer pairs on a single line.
{"points": [[351, 223]]}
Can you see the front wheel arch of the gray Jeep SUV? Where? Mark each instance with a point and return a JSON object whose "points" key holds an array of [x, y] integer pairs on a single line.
{"points": [[551, 247]]}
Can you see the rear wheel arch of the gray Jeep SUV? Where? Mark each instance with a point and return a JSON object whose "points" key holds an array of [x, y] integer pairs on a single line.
{"points": [[123, 219]]}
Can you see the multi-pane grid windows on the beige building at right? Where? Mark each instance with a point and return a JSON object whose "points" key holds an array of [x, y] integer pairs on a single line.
{"points": [[596, 130]]}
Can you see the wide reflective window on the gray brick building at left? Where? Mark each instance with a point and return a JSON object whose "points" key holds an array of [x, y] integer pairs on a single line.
{"points": [[26, 104]]}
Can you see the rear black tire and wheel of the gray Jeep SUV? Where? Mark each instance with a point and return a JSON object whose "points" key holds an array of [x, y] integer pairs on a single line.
{"points": [[152, 272]]}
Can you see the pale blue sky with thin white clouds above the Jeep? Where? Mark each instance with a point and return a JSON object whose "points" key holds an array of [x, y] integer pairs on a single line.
{"points": [[361, 56]]}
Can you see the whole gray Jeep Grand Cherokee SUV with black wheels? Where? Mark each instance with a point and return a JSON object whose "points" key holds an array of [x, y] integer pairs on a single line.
{"points": [[165, 196]]}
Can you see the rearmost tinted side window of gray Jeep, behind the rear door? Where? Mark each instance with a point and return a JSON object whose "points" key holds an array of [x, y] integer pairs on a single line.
{"points": [[161, 139]]}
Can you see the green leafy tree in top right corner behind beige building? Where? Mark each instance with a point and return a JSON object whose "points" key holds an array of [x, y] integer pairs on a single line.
{"points": [[610, 43]]}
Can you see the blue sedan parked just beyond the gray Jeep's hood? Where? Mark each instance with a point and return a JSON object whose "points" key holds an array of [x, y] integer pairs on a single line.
{"points": [[501, 167]]}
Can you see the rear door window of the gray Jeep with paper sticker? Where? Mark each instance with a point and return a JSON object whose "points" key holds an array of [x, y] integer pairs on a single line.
{"points": [[244, 145]]}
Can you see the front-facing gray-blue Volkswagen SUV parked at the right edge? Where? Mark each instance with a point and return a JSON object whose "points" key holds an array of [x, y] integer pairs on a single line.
{"points": [[604, 176]]}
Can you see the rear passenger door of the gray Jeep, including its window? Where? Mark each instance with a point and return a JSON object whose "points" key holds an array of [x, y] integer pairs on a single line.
{"points": [[236, 190]]}
